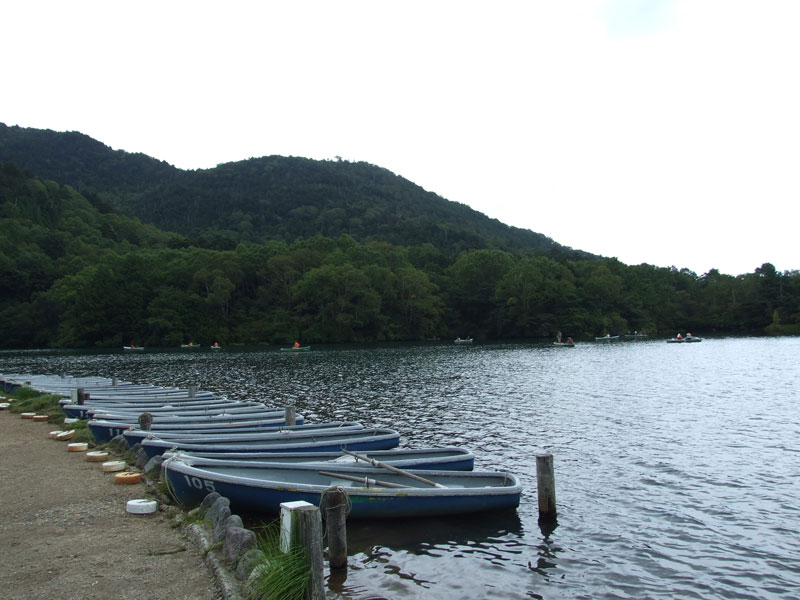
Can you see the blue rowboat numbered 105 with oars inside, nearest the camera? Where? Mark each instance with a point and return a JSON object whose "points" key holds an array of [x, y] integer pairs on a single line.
{"points": [[371, 492]]}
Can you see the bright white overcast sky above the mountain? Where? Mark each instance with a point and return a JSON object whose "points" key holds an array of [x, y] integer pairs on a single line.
{"points": [[657, 131]]}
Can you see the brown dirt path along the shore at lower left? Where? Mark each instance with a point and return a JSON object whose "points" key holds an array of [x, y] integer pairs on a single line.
{"points": [[65, 533]]}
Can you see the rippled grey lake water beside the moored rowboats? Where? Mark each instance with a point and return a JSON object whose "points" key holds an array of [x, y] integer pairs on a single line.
{"points": [[677, 465]]}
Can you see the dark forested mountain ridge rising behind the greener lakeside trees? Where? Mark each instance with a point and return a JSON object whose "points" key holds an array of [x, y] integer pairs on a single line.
{"points": [[269, 198]]}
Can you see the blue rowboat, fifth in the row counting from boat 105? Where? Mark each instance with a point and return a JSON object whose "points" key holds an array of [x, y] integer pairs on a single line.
{"points": [[104, 431]]}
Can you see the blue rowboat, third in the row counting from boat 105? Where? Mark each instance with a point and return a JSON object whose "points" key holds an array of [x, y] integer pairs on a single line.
{"points": [[289, 441]]}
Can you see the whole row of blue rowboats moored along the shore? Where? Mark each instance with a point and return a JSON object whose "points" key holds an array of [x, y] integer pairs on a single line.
{"points": [[247, 452]]}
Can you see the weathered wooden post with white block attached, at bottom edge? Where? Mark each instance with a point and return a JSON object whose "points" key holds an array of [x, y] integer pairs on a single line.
{"points": [[301, 525]]}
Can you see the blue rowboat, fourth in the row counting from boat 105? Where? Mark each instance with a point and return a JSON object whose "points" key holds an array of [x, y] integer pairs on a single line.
{"points": [[233, 431]]}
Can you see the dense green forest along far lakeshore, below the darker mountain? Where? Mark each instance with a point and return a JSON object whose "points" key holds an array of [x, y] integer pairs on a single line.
{"points": [[74, 273]]}
